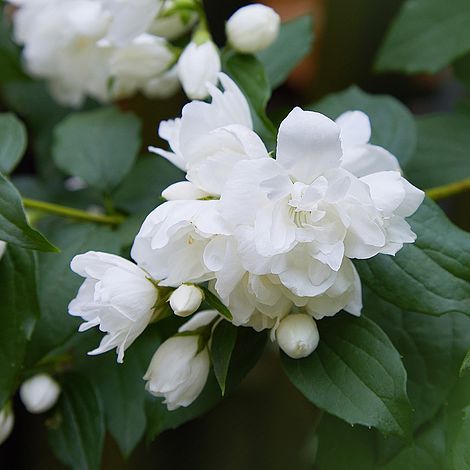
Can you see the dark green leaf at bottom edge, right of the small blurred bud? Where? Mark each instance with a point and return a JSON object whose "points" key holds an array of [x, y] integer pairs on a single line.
{"points": [[77, 430]]}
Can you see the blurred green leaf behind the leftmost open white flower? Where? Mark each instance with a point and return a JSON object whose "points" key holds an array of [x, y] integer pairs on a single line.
{"points": [[58, 285]]}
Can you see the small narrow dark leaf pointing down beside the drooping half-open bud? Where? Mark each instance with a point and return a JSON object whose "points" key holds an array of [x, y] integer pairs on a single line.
{"points": [[224, 338]]}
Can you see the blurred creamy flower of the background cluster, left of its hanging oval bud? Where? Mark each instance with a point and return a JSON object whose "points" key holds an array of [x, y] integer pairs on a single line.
{"points": [[134, 65]]}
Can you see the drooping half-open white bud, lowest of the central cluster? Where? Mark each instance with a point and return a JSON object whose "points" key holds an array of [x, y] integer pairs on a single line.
{"points": [[178, 371]]}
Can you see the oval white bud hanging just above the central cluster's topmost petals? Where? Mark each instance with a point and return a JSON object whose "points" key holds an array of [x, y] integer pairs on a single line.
{"points": [[198, 65]]}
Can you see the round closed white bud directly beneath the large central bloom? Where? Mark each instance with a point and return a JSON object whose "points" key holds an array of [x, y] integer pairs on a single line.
{"points": [[297, 335]]}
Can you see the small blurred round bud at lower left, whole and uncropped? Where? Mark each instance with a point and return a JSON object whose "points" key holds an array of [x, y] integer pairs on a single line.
{"points": [[39, 393]]}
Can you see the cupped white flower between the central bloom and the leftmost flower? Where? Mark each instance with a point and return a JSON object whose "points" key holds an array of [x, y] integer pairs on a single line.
{"points": [[171, 242]]}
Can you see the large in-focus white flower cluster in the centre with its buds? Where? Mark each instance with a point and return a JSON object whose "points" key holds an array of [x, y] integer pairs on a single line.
{"points": [[273, 238]]}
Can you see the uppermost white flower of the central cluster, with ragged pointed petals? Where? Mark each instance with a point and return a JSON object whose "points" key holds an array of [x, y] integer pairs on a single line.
{"points": [[210, 138]]}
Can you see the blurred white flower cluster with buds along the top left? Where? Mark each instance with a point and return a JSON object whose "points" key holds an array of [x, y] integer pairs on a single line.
{"points": [[111, 49]]}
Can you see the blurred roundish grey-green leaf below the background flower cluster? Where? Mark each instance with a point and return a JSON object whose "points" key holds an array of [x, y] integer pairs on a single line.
{"points": [[99, 146]]}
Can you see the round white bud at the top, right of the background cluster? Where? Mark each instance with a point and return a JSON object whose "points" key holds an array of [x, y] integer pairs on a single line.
{"points": [[252, 28]]}
